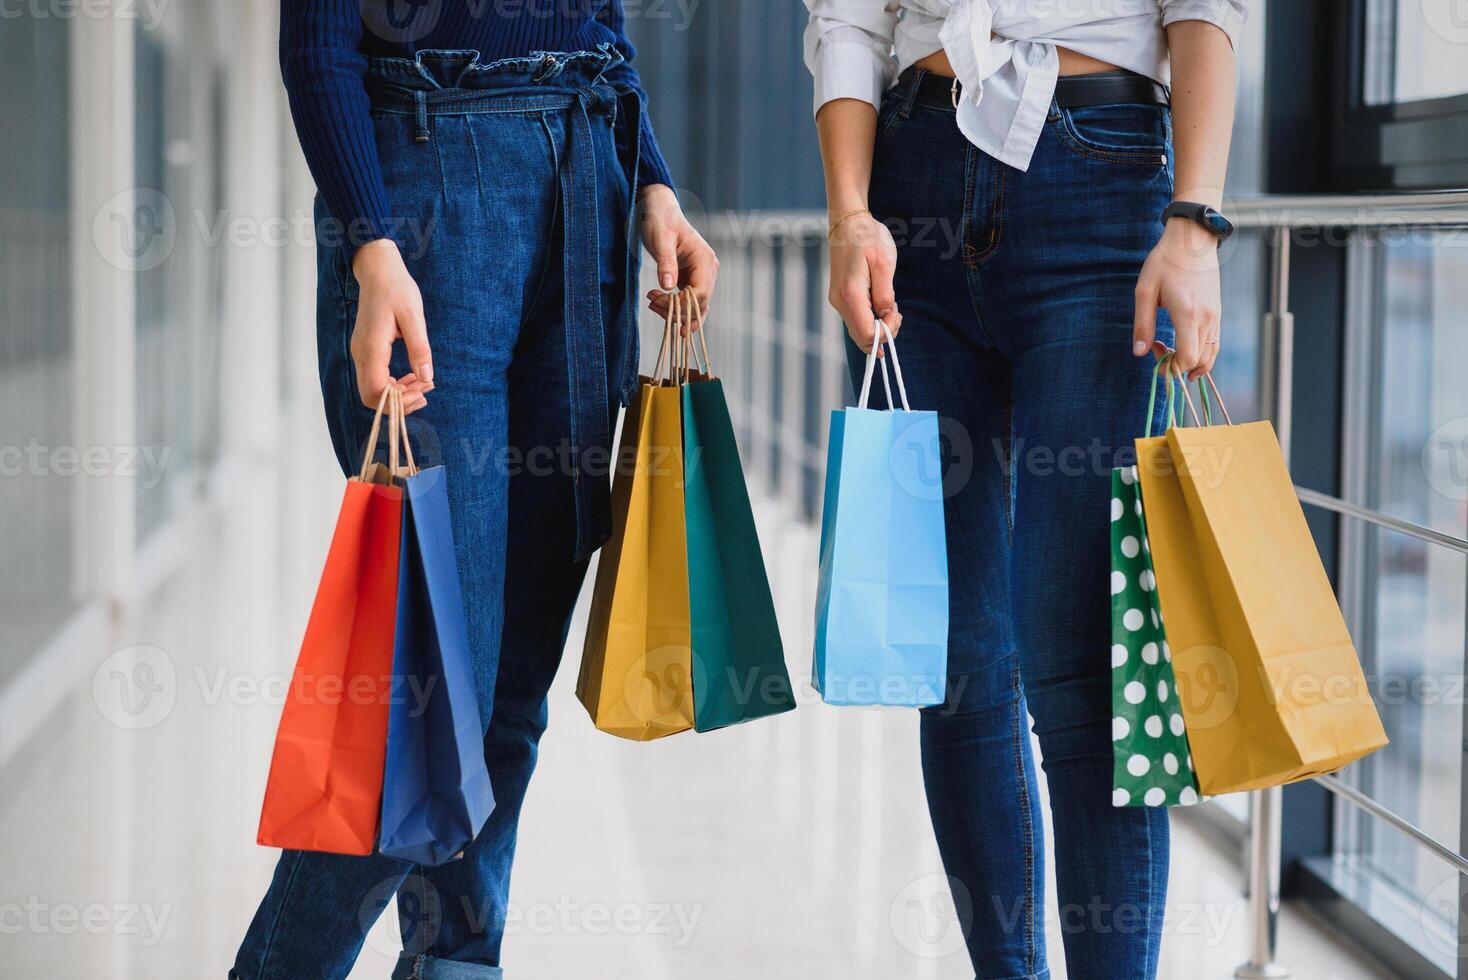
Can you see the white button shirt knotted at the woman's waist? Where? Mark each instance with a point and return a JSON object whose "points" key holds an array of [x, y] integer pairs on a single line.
{"points": [[1002, 51]]}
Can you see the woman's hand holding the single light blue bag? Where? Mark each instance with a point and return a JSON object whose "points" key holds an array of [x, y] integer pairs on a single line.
{"points": [[864, 260]]}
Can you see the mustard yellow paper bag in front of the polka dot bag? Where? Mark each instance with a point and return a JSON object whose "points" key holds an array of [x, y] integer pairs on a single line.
{"points": [[1269, 681]]}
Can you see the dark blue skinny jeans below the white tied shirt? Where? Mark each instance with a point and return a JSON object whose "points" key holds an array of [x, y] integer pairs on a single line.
{"points": [[1017, 299]]}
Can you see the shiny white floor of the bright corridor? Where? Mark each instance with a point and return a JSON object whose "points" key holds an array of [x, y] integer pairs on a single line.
{"points": [[791, 849]]}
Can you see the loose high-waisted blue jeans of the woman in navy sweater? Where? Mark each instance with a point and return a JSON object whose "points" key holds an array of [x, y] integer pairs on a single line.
{"points": [[513, 186]]}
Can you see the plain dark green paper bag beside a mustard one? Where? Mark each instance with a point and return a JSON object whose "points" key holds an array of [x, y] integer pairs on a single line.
{"points": [[739, 664]]}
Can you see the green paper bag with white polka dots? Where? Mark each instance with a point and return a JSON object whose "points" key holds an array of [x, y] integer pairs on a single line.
{"points": [[1152, 764]]}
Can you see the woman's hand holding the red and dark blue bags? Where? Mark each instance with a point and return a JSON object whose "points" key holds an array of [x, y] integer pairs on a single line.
{"points": [[390, 306]]}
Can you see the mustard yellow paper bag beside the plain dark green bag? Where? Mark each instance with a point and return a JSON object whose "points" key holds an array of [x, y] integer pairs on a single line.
{"points": [[636, 679]]}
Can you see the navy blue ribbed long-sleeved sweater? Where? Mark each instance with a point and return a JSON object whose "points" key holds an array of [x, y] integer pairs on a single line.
{"points": [[325, 46]]}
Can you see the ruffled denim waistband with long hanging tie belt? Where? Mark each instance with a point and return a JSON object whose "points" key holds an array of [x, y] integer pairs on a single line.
{"points": [[446, 83]]}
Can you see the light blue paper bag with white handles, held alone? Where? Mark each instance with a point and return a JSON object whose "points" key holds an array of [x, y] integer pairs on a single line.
{"points": [[883, 596]]}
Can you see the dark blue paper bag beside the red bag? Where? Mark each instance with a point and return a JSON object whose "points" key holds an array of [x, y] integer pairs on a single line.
{"points": [[437, 793]]}
